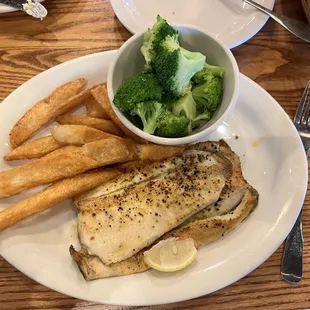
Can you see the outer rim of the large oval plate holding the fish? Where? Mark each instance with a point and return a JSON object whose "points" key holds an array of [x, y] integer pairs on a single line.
{"points": [[253, 266]]}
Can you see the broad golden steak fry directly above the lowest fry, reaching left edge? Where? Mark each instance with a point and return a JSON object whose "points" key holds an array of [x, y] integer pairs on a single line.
{"points": [[67, 162]]}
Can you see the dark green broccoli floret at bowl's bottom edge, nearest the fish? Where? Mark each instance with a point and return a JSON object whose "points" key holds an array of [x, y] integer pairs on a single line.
{"points": [[171, 126]]}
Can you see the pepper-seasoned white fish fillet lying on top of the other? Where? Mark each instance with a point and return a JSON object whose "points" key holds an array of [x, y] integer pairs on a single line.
{"points": [[116, 226]]}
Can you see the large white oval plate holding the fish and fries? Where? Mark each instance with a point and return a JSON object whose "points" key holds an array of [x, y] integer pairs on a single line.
{"points": [[273, 160]]}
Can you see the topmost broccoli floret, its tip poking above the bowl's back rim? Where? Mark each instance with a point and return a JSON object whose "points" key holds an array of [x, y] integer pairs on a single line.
{"points": [[153, 37]]}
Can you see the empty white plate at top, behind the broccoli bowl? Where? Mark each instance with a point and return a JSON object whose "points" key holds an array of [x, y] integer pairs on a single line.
{"points": [[231, 21]]}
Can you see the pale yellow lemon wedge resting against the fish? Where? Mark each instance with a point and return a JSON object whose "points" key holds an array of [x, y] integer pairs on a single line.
{"points": [[171, 254]]}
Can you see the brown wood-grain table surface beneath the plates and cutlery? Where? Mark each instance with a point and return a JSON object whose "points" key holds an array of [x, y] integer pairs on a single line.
{"points": [[274, 58]]}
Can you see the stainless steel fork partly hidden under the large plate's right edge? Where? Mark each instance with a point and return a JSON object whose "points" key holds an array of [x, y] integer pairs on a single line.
{"points": [[291, 267]]}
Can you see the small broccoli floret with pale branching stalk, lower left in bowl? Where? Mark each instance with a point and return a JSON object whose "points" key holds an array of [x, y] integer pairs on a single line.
{"points": [[149, 112]]}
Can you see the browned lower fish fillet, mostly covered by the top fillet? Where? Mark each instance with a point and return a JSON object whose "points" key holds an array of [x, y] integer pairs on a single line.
{"points": [[237, 200]]}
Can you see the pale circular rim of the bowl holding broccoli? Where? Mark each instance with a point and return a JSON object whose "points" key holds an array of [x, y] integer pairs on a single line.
{"points": [[183, 140]]}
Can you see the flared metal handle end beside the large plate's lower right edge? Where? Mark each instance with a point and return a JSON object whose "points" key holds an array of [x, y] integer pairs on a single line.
{"points": [[291, 267]]}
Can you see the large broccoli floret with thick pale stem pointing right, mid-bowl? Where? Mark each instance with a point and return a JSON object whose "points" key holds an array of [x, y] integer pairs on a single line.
{"points": [[175, 66]]}
